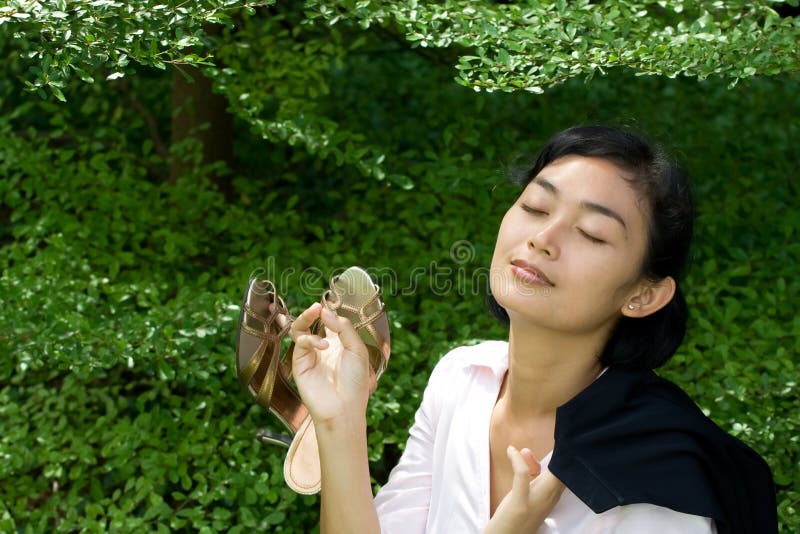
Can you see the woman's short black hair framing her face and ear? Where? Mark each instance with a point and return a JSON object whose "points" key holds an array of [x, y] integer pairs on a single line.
{"points": [[646, 342]]}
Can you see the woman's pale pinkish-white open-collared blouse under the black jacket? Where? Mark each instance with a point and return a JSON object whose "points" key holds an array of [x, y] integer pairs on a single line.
{"points": [[441, 484]]}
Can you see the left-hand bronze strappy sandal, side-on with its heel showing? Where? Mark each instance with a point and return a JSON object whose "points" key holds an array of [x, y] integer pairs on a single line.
{"points": [[263, 323]]}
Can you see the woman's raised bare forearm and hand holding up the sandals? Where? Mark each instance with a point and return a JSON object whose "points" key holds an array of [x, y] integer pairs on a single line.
{"points": [[334, 379]]}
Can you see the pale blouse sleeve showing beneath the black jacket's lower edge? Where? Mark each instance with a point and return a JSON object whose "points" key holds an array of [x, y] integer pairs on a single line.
{"points": [[638, 518]]}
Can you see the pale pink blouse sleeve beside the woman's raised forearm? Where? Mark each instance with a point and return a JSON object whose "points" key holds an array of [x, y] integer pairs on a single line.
{"points": [[403, 502]]}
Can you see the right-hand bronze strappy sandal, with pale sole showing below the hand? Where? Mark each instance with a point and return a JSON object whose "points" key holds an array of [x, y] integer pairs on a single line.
{"points": [[352, 294]]}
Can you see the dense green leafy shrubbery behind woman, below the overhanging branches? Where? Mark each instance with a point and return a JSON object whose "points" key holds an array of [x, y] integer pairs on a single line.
{"points": [[121, 278]]}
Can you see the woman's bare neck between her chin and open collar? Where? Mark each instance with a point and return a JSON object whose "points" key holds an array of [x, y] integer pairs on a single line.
{"points": [[546, 369]]}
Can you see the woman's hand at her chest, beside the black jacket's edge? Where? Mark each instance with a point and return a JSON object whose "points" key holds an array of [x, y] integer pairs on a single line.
{"points": [[533, 494]]}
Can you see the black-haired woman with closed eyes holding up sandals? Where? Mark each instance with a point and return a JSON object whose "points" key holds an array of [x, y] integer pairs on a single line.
{"points": [[585, 272]]}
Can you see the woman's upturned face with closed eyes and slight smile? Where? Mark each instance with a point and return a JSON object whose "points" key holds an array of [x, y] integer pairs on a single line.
{"points": [[569, 251]]}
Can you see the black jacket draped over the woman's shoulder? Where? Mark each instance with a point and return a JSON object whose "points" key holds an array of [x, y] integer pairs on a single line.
{"points": [[633, 437]]}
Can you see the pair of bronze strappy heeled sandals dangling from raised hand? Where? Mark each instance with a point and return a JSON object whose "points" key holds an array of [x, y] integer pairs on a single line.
{"points": [[264, 322]]}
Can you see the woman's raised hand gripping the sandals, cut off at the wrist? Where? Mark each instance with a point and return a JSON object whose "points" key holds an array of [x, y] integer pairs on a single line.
{"points": [[333, 374]]}
